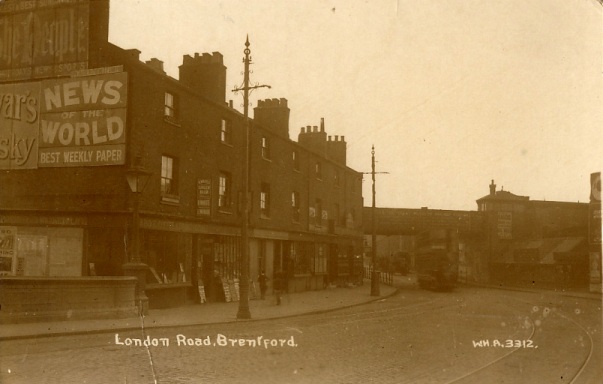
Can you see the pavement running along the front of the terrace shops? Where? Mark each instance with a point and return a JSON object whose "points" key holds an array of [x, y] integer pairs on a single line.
{"points": [[293, 304]]}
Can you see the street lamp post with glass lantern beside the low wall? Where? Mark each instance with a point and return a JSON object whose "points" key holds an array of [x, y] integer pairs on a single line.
{"points": [[137, 178]]}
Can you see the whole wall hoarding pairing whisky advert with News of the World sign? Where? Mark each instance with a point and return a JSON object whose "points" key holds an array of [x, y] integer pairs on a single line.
{"points": [[64, 123]]}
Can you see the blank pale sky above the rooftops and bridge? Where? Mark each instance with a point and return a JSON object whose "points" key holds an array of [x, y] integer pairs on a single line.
{"points": [[452, 93]]}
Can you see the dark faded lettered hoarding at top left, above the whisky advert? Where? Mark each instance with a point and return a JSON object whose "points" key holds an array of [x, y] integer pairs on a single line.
{"points": [[43, 38]]}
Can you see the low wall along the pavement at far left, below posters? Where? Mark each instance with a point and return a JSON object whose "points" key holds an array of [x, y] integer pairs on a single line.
{"points": [[31, 299]]}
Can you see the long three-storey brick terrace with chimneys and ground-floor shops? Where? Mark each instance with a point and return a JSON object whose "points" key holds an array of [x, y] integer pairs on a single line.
{"points": [[66, 208]]}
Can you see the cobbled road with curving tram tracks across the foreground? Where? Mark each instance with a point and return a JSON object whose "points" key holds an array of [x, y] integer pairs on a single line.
{"points": [[470, 335]]}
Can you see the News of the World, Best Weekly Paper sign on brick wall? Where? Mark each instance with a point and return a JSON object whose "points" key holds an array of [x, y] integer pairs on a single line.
{"points": [[82, 121]]}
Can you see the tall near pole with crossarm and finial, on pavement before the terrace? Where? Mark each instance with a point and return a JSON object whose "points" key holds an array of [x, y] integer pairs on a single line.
{"points": [[243, 312]]}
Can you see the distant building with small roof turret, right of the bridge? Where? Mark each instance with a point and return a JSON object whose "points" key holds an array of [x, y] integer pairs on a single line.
{"points": [[536, 243]]}
